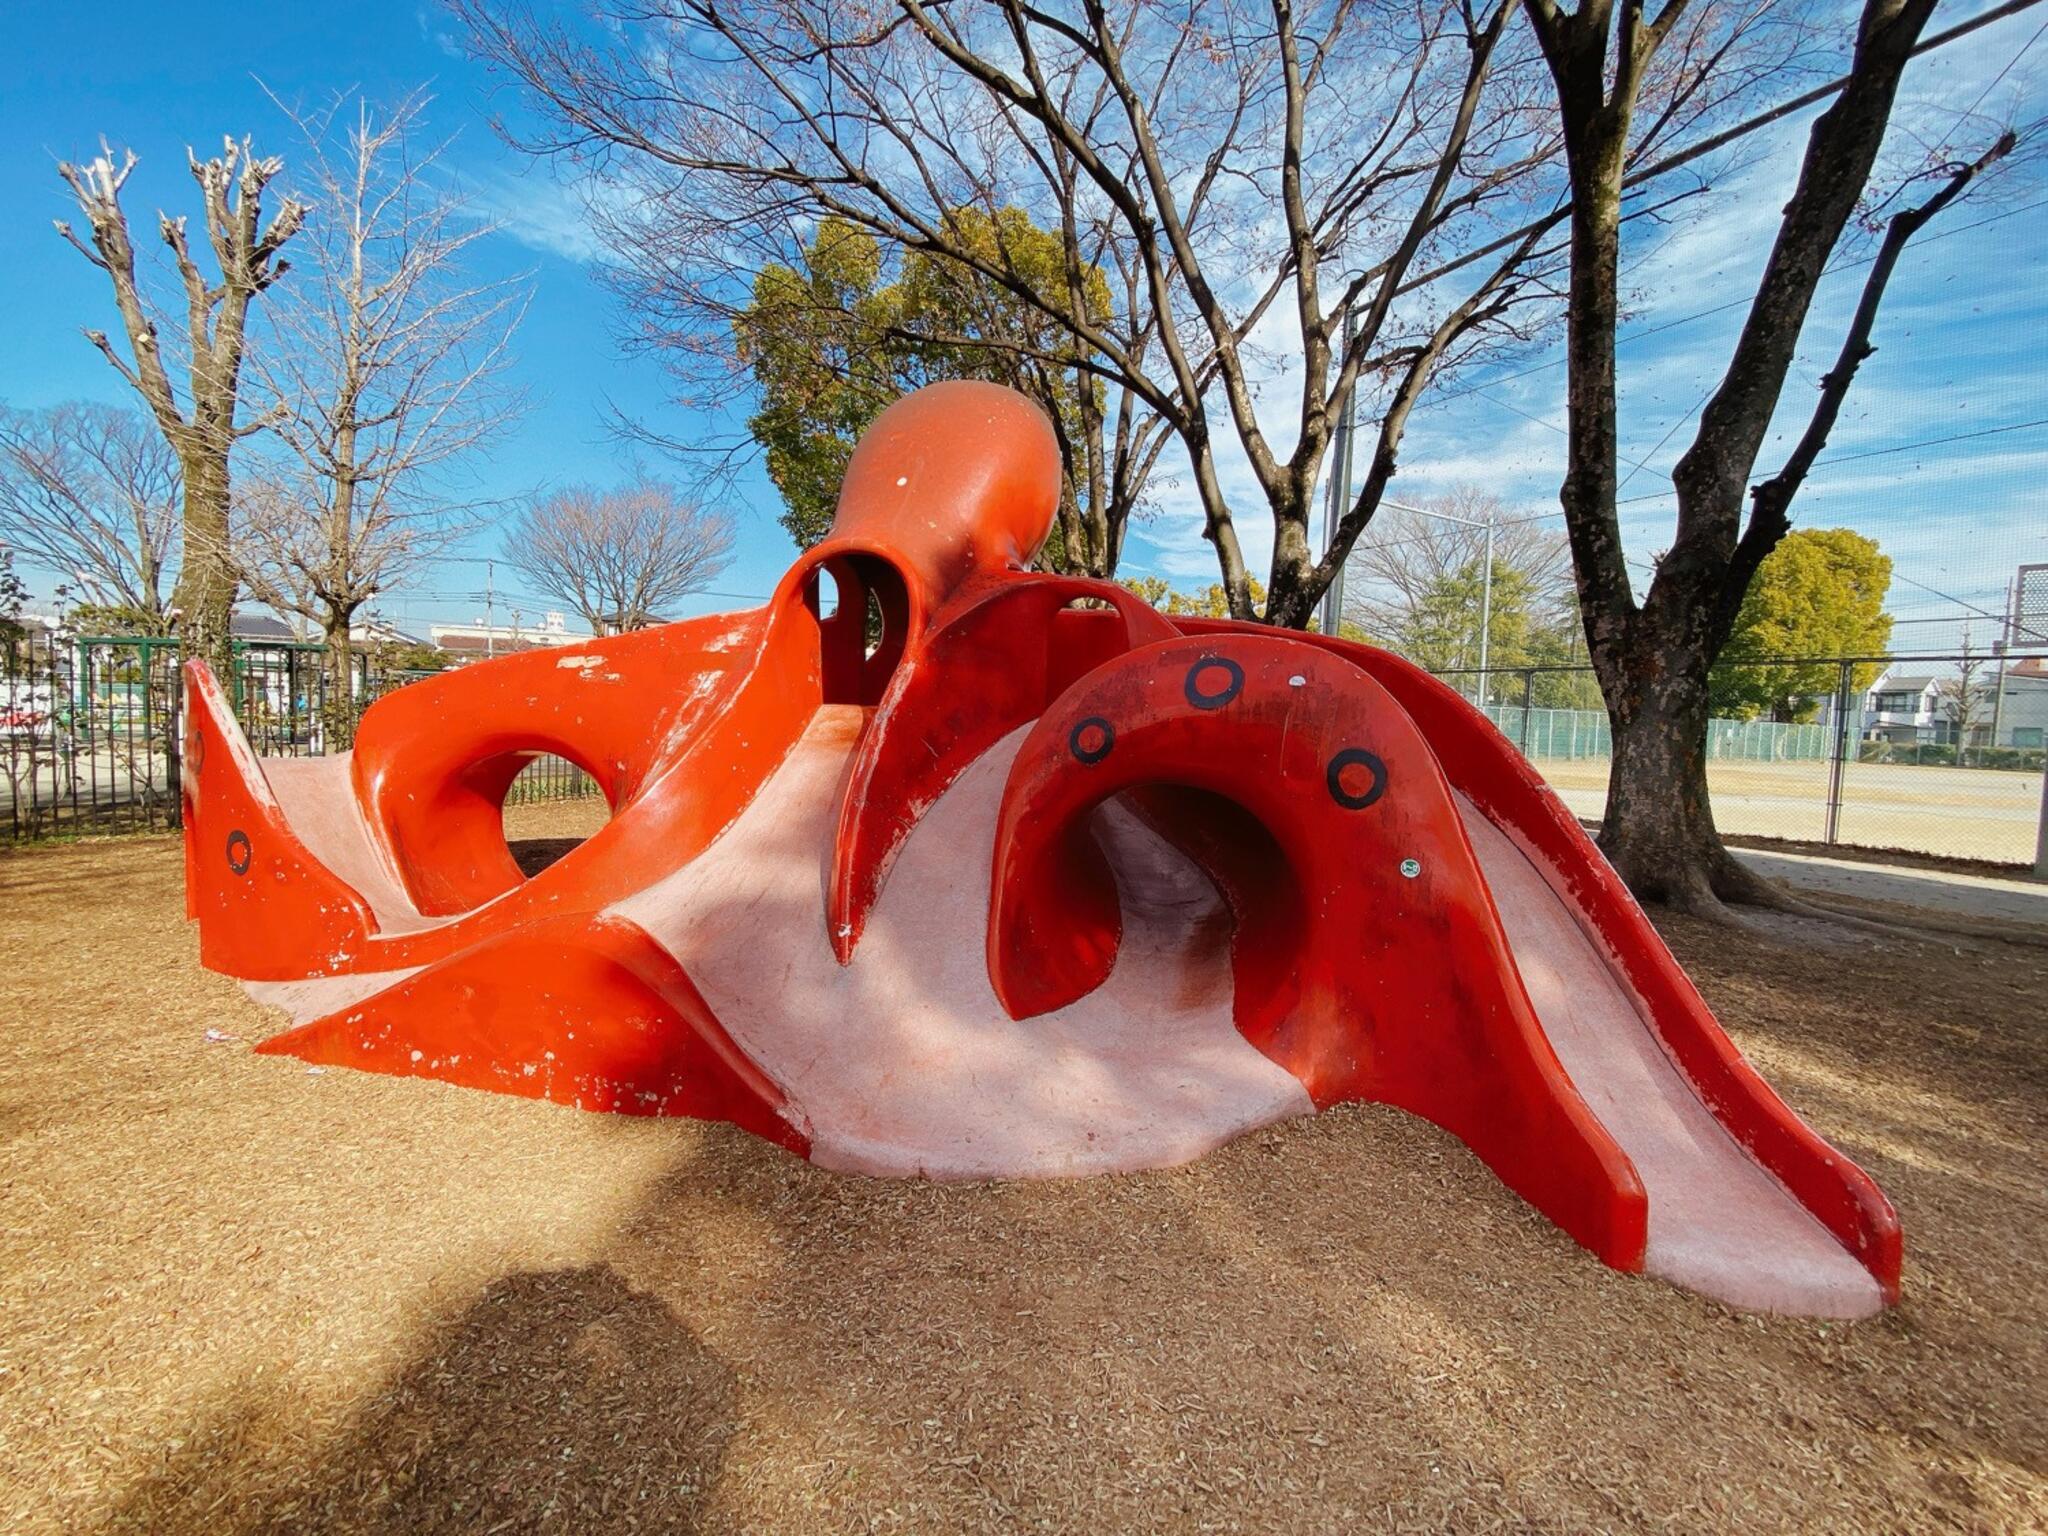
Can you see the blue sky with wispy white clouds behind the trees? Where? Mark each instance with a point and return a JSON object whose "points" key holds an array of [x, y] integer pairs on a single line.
{"points": [[1963, 341]]}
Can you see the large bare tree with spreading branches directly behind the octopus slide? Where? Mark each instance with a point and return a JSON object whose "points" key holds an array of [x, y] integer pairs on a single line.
{"points": [[1250, 175]]}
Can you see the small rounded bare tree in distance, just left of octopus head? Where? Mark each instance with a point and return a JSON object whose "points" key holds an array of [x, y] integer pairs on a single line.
{"points": [[622, 556]]}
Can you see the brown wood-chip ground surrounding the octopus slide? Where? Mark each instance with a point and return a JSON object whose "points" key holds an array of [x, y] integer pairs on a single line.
{"points": [[239, 1295]]}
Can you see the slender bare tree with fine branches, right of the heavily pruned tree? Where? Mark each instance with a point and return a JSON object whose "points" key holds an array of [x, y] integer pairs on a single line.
{"points": [[382, 368]]}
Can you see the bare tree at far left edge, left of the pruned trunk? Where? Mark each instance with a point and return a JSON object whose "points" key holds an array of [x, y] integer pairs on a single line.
{"points": [[91, 493]]}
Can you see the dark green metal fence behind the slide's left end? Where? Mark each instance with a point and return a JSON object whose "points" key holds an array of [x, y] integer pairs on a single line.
{"points": [[89, 728]]}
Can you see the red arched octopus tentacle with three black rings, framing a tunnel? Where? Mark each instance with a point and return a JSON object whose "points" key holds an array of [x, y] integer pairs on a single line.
{"points": [[1369, 959]]}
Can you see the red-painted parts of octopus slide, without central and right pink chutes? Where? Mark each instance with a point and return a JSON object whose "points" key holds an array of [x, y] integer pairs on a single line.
{"points": [[1299, 773]]}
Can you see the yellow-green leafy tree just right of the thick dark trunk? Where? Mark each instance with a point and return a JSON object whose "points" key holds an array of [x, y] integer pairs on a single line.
{"points": [[1820, 595]]}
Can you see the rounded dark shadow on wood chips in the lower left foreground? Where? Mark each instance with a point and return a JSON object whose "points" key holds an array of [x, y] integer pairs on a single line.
{"points": [[556, 1402]]}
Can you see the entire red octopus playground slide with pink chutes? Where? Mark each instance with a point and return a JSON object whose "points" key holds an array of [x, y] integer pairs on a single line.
{"points": [[1039, 884]]}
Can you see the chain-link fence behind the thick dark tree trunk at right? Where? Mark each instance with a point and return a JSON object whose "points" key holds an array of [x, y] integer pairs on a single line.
{"points": [[1926, 755]]}
